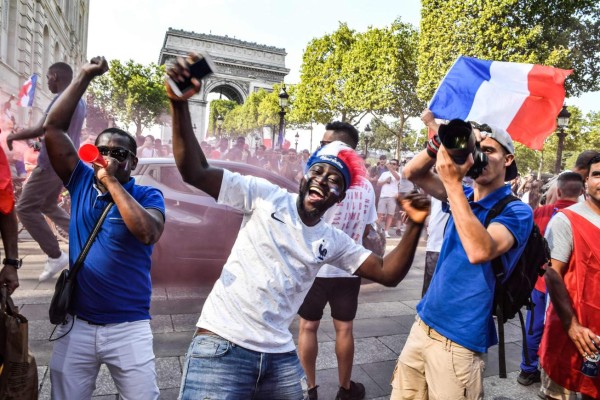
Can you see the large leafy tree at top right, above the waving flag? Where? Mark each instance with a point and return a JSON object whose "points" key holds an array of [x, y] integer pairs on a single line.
{"points": [[560, 33]]}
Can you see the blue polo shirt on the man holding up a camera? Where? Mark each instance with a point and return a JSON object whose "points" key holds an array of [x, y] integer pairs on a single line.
{"points": [[458, 303]]}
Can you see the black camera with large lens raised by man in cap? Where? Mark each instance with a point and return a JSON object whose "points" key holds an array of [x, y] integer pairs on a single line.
{"points": [[458, 138]]}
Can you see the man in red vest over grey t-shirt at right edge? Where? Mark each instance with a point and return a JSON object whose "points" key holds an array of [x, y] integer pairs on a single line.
{"points": [[572, 327]]}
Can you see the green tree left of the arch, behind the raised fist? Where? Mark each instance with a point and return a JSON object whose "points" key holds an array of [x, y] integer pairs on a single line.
{"points": [[132, 93]]}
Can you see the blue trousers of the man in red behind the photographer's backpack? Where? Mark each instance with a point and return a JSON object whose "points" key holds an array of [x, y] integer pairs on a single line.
{"points": [[533, 340]]}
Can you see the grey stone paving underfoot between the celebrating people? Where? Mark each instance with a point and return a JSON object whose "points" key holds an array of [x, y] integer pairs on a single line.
{"points": [[382, 324]]}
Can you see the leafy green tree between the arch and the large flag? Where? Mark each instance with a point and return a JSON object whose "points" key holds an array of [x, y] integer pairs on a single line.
{"points": [[347, 75]]}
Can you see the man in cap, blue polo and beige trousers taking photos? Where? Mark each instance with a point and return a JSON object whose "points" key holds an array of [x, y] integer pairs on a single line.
{"points": [[443, 355]]}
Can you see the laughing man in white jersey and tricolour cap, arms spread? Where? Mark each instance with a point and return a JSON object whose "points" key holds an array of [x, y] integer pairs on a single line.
{"points": [[243, 347]]}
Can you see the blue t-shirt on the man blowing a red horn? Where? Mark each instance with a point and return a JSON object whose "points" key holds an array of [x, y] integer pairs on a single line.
{"points": [[113, 285]]}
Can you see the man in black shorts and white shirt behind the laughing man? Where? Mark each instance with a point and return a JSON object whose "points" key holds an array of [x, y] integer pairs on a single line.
{"points": [[340, 289]]}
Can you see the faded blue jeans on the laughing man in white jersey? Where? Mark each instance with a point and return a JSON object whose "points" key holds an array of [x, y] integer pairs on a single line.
{"points": [[216, 368]]}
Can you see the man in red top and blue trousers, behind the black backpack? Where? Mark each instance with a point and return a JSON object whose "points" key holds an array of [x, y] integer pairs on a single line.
{"points": [[569, 188]]}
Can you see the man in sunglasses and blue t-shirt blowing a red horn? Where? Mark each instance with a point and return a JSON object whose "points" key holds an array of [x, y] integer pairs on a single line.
{"points": [[110, 321]]}
